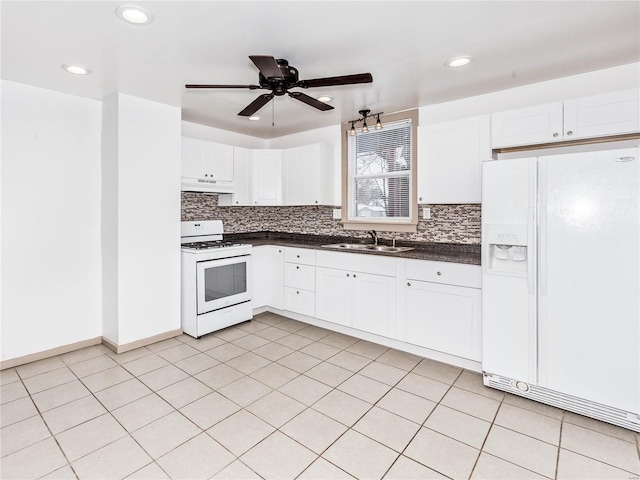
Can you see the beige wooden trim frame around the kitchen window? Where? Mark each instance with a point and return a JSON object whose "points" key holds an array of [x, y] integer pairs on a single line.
{"points": [[388, 224]]}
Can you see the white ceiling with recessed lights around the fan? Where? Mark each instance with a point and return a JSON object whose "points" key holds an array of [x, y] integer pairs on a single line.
{"points": [[404, 45]]}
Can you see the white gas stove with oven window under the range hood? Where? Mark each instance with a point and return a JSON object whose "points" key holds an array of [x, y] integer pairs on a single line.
{"points": [[216, 279]]}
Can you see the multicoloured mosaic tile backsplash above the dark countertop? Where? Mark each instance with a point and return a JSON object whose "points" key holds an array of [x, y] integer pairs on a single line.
{"points": [[448, 223]]}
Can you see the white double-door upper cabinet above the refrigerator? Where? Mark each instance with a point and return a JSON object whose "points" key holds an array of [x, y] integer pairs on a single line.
{"points": [[601, 115]]}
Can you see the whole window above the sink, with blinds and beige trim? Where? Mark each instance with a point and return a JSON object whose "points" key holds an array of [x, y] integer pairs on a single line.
{"points": [[379, 176]]}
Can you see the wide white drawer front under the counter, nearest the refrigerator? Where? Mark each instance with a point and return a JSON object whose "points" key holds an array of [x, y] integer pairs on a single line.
{"points": [[443, 272]]}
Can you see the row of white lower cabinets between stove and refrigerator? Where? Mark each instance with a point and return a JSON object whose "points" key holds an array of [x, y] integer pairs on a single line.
{"points": [[433, 305]]}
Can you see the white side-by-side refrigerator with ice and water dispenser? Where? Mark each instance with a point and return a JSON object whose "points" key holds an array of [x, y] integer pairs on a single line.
{"points": [[561, 281]]}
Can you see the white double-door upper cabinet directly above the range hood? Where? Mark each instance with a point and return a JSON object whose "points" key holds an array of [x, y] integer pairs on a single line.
{"points": [[208, 161]]}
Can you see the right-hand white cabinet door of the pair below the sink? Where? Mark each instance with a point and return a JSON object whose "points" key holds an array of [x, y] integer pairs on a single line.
{"points": [[374, 303]]}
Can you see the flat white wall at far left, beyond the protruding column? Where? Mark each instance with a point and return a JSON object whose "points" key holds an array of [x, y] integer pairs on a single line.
{"points": [[50, 214]]}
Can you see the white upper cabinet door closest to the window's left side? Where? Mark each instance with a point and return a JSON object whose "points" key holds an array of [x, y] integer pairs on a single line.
{"points": [[303, 175]]}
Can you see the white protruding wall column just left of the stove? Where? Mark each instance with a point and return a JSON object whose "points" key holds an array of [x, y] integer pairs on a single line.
{"points": [[144, 236]]}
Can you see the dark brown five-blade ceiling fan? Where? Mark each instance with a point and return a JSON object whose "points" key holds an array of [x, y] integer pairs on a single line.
{"points": [[278, 76]]}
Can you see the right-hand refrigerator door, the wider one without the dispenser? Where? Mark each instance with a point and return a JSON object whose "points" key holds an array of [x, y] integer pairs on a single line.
{"points": [[589, 302]]}
